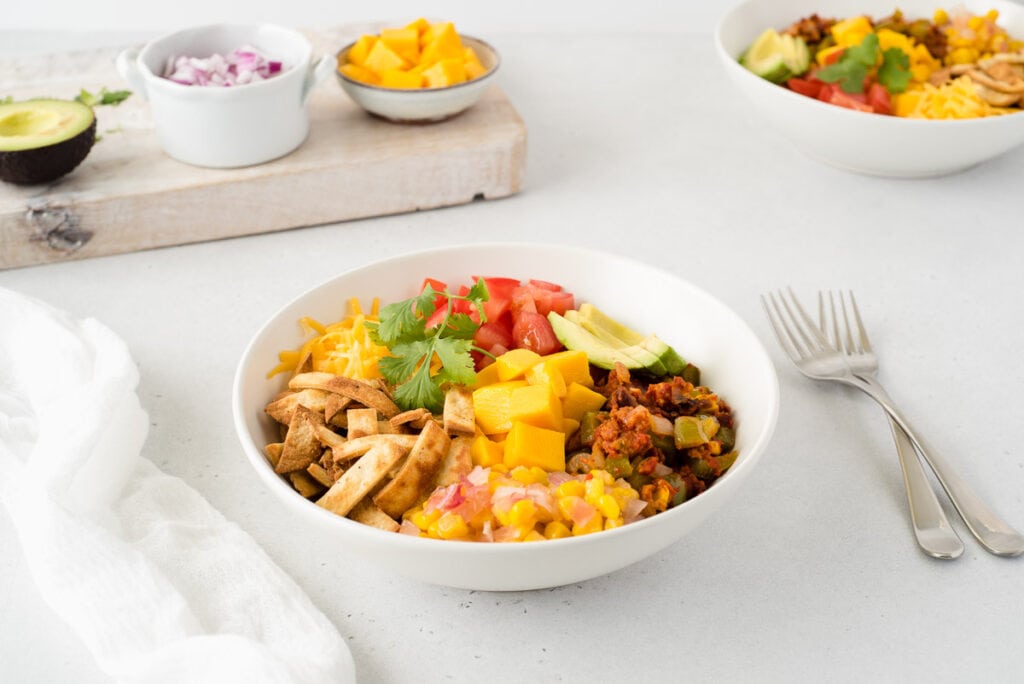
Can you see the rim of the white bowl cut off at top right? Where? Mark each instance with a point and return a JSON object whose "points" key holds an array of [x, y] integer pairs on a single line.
{"points": [[732, 62]]}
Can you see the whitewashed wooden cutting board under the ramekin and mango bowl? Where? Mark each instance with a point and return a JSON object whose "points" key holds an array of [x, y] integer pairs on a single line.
{"points": [[130, 196]]}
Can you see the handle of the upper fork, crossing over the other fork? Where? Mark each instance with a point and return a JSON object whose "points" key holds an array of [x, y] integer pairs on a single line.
{"points": [[994, 533]]}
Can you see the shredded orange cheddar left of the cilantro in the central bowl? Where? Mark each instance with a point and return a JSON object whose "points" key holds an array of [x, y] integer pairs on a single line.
{"points": [[343, 349]]}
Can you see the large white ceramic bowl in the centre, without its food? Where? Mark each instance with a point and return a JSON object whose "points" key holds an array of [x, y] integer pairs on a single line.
{"points": [[706, 332]]}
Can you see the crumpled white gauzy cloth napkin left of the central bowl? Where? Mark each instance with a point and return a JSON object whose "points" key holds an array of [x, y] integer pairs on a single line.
{"points": [[159, 586]]}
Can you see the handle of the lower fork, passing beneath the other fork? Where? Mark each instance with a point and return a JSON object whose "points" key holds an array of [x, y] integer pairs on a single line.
{"points": [[931, 528]]}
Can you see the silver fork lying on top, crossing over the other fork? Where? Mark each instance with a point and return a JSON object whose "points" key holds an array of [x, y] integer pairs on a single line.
{"points": [[817, 358]]}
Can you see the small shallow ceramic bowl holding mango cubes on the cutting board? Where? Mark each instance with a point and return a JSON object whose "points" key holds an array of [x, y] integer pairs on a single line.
{"points": [[425, 105]]}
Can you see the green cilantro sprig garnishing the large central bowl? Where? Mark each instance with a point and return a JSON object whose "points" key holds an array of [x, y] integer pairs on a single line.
{"points": [[403, 329]]}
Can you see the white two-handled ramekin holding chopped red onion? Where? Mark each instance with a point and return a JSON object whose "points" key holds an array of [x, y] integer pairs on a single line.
{"points": [[228, 127]]}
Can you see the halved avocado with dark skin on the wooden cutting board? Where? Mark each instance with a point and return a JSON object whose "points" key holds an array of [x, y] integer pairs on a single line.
{"points": [[44, 140]]}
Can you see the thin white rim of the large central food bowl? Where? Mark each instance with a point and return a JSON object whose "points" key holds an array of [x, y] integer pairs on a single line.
{"points": [[288, 495]]}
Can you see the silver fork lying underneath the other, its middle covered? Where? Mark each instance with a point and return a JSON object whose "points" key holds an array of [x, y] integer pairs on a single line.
{"points": [[931, 528]]}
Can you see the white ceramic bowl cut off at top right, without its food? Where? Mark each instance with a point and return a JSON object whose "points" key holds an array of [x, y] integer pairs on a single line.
{"points": [[855, 141]]}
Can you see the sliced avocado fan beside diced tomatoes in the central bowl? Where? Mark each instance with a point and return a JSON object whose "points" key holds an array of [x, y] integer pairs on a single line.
{"points": [[607, 343]]}
